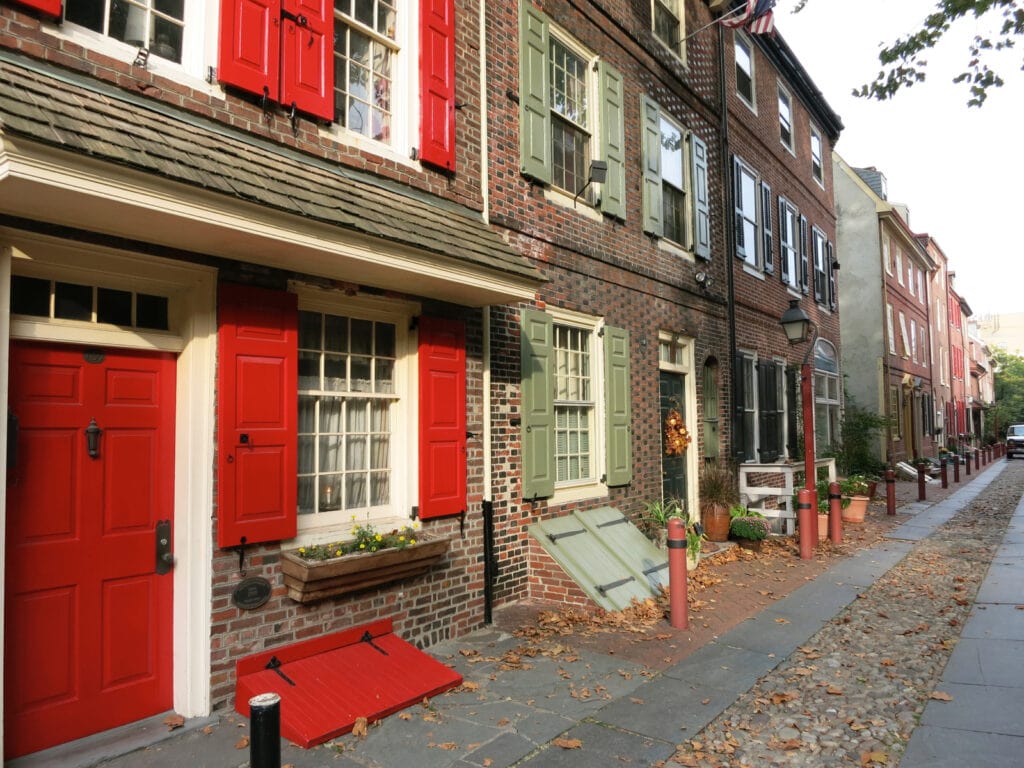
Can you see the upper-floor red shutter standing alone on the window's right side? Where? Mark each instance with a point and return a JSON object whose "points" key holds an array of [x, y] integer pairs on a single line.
{"points": [[438, 83]]}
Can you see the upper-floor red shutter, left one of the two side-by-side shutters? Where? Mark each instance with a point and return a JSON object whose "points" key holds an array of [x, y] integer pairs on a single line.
{"points": [[250, 46]]}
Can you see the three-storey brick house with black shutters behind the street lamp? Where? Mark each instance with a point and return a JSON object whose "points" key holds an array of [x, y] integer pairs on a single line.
{"points": [[781, 133]]}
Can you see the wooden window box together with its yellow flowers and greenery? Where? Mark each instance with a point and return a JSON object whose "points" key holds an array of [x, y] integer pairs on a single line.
{"points": [[369, 560]]}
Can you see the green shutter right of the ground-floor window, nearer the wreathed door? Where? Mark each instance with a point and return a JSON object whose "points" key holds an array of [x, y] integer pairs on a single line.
{"points": [[619, 444]]}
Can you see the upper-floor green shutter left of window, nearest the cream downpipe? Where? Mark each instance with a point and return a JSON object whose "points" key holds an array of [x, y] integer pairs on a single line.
{"points": [[535, 96]]}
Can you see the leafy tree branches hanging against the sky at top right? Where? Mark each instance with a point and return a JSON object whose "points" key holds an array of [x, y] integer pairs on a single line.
{"points": [[905, 61]]}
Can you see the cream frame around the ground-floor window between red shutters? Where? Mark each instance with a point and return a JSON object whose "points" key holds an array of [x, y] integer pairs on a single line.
{"points": [[333, 526]]}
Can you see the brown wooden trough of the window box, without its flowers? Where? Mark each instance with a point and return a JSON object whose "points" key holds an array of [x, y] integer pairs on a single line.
{"points": [[309, 581]]}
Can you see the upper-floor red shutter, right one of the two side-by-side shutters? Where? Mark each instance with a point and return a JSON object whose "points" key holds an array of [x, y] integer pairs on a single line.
{"points": [[308, 58]]}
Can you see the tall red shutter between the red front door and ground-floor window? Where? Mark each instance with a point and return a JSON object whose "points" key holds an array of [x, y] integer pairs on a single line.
{"points": [[258, 394]]}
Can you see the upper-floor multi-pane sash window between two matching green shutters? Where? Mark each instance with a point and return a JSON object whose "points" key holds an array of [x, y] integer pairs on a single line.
{"points": [[571, 135]]}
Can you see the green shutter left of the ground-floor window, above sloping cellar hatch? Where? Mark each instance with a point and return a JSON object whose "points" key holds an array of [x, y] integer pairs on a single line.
{"points": [[536, 333]]}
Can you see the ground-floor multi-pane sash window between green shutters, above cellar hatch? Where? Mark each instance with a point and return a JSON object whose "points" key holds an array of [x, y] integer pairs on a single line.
{"points": [[574, 405]]}
